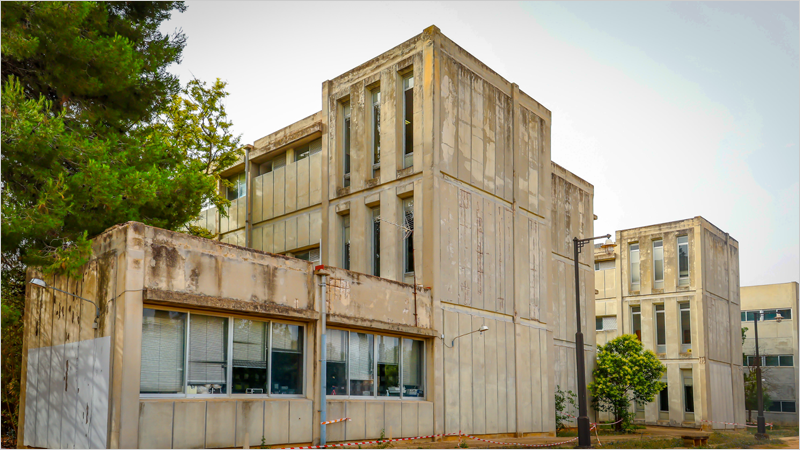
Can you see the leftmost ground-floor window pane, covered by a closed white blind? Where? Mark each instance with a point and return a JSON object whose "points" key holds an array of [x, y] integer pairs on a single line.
{"points": [[163, 335]]}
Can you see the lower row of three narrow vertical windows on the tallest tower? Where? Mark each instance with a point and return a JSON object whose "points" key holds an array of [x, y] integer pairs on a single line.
{"points": [[406, 231]]}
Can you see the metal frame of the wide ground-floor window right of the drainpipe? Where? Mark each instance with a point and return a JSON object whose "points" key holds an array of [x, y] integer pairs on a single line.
{"points": [[375, 395]]}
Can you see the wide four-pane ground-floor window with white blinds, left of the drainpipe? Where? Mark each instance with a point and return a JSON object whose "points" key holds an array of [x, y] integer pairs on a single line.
{"points": [[223, 355]]}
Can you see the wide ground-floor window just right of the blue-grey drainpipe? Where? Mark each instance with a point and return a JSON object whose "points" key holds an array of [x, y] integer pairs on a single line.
{"points": [[374, 365]]}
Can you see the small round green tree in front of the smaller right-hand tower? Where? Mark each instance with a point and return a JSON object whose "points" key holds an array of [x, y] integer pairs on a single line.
{"points": [[625, 373]]}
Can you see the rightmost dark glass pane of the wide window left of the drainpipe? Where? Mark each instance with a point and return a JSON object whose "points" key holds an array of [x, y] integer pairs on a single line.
{"points": [[287, 359]]}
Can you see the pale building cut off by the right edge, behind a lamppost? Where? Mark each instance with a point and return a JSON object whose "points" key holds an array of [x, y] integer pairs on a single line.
{"points": [[777, 346]]}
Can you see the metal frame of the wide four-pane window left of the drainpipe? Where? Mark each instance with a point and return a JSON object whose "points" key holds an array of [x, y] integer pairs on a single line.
{"points": [[229, 361]]}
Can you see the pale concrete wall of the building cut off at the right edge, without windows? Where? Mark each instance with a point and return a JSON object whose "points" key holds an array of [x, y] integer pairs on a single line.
{"points": [[775, 339]]}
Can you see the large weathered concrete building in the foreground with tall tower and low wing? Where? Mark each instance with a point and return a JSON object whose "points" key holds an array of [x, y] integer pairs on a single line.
{"points": [[216, 344]]}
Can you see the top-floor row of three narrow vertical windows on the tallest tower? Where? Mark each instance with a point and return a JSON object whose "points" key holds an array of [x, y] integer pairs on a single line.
{"points": [[375, 128]]}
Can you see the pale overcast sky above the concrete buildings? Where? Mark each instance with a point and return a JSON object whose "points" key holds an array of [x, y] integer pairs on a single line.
{"points": [[671, 110]]}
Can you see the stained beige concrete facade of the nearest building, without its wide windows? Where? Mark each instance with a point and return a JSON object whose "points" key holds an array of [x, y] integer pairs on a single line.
{"points": [[464, 160]]}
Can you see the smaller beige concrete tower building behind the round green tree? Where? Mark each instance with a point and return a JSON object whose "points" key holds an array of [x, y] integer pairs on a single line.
{"points": [[676, 287]]}
